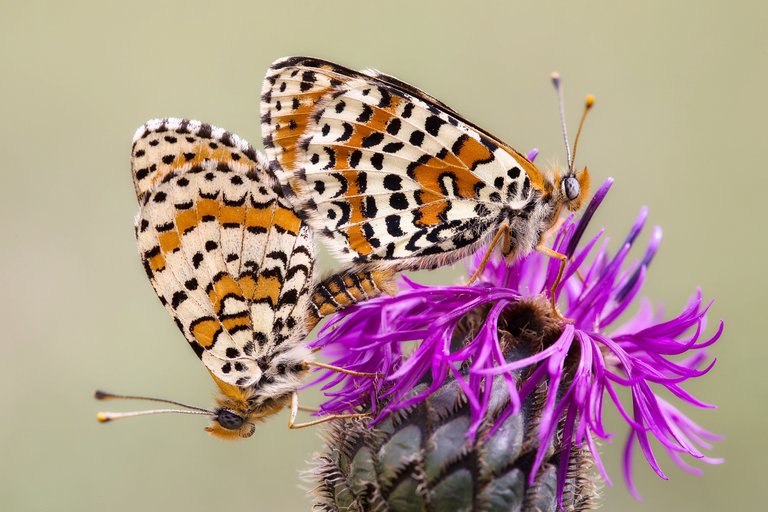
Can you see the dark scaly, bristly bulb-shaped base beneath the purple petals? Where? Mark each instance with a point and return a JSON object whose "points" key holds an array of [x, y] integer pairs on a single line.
{"points": [[420, 458]]}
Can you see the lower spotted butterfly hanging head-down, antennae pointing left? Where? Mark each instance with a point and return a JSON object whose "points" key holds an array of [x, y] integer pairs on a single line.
{"points": [[233, 264]]}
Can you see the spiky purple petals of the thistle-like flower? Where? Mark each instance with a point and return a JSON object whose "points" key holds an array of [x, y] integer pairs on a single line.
{"points": [[593, 357]]}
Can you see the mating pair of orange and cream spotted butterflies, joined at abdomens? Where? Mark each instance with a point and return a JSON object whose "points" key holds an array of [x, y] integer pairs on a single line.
{"points": [[390, 177]]}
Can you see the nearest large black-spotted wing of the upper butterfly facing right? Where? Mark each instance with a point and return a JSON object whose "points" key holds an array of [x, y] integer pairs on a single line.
{"points": [[391, 179]]}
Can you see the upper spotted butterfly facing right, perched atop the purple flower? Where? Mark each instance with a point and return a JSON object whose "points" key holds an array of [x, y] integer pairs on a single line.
{"points": [[391, 177]]}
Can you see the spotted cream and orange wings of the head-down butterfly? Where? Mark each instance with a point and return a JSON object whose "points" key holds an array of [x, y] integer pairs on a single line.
{"points": [[226, 254]]}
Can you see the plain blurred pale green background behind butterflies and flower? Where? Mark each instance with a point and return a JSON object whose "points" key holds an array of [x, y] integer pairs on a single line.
{"points": [[680, 123]]}
